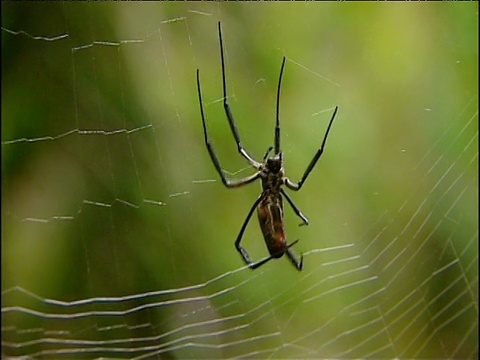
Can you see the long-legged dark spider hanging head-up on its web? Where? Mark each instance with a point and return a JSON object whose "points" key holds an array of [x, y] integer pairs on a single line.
{"points": [[269, 204]]}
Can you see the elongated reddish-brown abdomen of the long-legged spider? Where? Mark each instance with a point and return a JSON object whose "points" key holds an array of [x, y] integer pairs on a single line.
{"points": [[270, 217]]}
